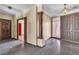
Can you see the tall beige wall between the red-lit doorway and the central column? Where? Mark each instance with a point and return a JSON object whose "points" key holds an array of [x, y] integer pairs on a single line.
{"points": [[31, 26]]}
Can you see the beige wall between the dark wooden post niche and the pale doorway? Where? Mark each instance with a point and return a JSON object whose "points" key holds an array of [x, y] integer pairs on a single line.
{"points": [[46, 26]]}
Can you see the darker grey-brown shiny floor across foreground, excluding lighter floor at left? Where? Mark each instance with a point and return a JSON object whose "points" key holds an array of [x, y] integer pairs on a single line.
{"points": [[53, 47]]}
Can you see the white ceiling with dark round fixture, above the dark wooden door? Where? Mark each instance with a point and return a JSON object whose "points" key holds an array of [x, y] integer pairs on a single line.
{"points": [[16, 8]]}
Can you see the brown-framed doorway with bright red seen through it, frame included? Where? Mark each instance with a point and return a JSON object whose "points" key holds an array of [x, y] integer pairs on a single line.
{"points": [[22, 29]]}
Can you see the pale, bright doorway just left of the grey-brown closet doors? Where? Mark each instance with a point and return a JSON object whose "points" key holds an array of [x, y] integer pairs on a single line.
{"points": [[56, 27]]}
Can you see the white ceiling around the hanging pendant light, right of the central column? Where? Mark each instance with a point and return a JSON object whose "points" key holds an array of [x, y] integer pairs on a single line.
{"points": [[57, 9]]}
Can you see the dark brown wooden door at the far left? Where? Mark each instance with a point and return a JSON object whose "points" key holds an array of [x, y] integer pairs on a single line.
{"points": [[6, 29]]}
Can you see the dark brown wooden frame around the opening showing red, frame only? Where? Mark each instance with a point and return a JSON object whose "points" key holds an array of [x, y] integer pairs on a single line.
{"points": [[25, 28]]}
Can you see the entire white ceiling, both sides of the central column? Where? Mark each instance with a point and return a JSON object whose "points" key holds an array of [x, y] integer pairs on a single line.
{"points": [[52, 9]]}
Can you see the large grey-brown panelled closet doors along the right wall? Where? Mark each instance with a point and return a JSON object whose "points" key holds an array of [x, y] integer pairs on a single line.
{"points": [[70, 27]]}
